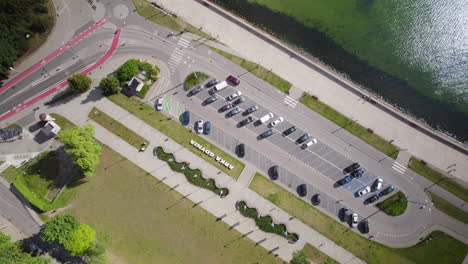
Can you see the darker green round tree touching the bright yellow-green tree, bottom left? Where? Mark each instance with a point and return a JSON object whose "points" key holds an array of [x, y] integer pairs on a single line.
{"points": [[60, 228]]}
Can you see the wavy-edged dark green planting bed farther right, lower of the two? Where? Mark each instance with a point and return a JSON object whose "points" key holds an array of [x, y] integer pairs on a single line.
{"points": [[265, 223]]}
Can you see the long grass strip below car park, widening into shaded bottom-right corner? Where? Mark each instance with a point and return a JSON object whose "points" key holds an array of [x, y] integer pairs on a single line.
{"points": [[441, 249]]}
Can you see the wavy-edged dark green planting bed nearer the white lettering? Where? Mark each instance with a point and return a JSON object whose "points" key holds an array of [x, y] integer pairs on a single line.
{"points": [[194, 176]]}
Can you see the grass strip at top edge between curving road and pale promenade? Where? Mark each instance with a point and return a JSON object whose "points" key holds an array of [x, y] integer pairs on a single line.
{"points": [[153, 14]]}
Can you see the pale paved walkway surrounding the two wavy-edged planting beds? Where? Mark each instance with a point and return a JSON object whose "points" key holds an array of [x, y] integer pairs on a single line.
{"points": [[224, 208]]}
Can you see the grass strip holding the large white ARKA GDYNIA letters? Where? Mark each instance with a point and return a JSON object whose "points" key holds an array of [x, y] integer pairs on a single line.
{"points": [[174, 130]]}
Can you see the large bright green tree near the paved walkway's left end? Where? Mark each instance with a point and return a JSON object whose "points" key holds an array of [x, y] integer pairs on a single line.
{"points": [[80, 143]]}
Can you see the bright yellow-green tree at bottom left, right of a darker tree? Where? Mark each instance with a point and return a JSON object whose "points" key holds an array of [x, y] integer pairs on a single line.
{"points": [[81, 240]]}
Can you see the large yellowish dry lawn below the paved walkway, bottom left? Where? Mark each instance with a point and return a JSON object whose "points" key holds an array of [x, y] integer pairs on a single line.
{"points": [[130, 207]]}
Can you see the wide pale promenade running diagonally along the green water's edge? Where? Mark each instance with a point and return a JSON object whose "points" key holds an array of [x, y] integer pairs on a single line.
{"points": [[328, 89]]}
